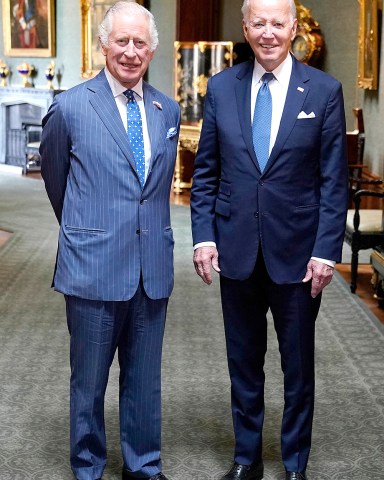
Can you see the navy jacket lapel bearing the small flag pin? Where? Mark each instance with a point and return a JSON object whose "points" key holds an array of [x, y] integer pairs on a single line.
{"points": [[297, 92]]}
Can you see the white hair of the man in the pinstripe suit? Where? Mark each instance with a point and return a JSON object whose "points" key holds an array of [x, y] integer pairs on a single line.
{"points": [[130, 7]]}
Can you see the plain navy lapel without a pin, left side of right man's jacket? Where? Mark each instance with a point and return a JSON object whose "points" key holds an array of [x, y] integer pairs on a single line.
{"points": [[243, 99]]}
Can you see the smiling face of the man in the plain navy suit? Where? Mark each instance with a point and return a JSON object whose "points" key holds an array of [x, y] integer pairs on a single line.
{"points": [[269, 29]]}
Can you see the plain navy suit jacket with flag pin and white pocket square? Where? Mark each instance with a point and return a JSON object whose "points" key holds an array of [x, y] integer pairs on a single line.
{"points": [[297, 207]]}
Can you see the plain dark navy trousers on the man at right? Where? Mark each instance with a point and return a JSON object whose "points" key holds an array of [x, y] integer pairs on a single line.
{"points": [[245, 306]]}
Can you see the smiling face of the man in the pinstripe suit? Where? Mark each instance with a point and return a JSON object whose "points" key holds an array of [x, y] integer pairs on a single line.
{"points": [[127, 53]]}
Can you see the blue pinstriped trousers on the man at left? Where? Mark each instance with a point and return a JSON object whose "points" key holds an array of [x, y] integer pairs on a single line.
{"points": [[134, 328]]}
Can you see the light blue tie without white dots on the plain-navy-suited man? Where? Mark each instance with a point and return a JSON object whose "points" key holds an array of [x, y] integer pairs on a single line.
{"points": [[262, 118]]}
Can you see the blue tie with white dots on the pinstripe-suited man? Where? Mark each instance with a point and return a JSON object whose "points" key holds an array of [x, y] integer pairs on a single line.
{"points": [[135, 134]]}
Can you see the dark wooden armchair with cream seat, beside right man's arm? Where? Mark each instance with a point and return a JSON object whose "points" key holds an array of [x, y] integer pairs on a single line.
{"points": [[364, 229]]}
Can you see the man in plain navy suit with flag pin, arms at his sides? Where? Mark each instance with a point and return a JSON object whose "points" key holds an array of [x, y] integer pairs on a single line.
{"points": [[273, 229]]}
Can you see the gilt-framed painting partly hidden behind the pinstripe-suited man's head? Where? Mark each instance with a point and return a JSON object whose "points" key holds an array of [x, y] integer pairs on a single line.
{"points": [[92, 14]]}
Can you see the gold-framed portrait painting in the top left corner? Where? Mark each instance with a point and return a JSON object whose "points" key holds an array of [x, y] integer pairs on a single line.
{"points": [[29, 28]]}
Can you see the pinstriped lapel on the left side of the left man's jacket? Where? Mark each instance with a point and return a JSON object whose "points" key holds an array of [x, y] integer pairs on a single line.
{"points": [[105, 107]]}
